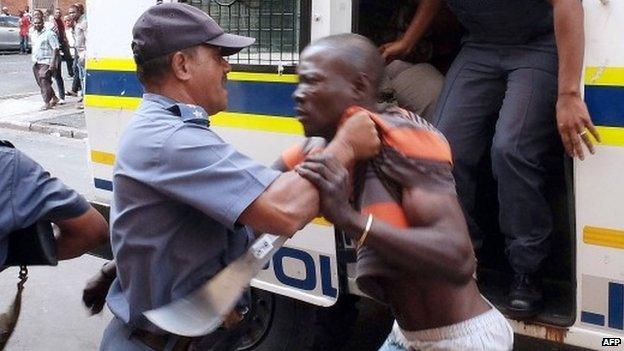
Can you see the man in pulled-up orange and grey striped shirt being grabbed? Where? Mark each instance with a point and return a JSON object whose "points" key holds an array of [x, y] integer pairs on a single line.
{"points": [[414, 251]]}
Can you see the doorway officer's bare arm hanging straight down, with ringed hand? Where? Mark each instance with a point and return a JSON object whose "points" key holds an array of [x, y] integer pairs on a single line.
{"points": [[572, 116]]}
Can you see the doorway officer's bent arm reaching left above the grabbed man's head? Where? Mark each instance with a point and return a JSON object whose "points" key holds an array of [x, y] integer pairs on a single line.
{"points": [[425, 13]]}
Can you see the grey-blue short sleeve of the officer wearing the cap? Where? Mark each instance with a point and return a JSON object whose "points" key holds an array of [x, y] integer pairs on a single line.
{"points": [[198, 168]]}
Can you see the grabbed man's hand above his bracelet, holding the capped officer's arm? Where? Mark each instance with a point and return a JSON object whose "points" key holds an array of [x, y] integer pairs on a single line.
{"points": [[332, 181]]}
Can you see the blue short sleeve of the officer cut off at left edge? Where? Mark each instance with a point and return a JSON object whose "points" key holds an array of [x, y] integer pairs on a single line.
{"points": [[36, 195]]}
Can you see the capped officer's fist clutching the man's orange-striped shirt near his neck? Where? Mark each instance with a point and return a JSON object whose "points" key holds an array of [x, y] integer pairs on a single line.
{"points": [[359, 133]]}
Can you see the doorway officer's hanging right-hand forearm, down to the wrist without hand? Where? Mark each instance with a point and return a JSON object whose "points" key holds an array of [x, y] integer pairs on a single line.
{"points": [[568, 18]]}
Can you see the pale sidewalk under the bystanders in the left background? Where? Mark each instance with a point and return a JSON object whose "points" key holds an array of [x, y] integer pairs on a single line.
{"points": [[23, 113]]}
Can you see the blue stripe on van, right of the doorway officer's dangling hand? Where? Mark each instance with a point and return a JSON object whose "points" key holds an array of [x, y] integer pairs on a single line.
{"points": [[606, 105]]}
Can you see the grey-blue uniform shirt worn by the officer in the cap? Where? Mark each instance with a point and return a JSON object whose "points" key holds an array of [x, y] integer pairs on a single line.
{"points": [[178, 190]]}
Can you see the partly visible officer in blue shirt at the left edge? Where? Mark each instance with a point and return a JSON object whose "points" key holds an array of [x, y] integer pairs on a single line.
{"points": [[29, 194]]}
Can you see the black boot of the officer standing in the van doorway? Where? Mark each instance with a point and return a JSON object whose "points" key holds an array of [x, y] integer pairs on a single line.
{"points": [[525, 296]]}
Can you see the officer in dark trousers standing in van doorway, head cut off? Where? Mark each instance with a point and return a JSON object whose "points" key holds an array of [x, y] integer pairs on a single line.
{"points": [[517, 77]]}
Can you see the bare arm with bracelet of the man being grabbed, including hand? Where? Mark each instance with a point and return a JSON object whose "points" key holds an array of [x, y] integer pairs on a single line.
{"points": [[436, 245]]}
